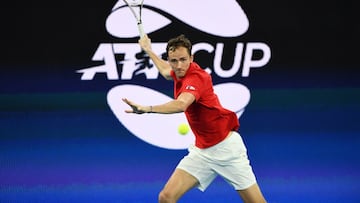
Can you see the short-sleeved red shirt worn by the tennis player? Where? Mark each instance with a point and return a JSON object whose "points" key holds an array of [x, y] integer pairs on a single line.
{"points": [[209, 121]]}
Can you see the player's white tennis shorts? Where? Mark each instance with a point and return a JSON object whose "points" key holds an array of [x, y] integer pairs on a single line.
{"points": [[228, 159]]}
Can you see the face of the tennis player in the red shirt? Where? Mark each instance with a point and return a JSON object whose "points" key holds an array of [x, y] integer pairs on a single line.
{"points": [[180, 60]]}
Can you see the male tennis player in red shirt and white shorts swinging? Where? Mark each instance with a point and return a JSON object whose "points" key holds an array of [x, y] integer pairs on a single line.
{"points": [[218, 148]]}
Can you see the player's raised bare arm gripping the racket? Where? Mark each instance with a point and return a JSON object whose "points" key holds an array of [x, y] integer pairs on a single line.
{"points": [[162, 65]]}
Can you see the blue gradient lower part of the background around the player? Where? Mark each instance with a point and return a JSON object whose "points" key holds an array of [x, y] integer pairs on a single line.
{"points": [[69, 147]]}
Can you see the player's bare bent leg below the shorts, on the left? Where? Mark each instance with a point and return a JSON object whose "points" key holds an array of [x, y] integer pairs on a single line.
{"points": [[179, 183]]}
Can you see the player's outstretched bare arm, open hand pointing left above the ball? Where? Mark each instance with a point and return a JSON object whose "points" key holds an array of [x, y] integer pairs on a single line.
{"points": [[180, 104]]}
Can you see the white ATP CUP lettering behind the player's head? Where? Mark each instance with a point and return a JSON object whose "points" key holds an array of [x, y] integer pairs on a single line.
{"points": [[132, 61]]}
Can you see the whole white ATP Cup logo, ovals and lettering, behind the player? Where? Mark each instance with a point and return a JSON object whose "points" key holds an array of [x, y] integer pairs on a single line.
{"points": [[203, 16]]}
